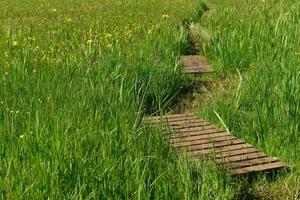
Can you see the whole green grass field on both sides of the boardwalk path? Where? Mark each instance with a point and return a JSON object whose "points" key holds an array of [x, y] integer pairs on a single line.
{"points": [[76, 77]]}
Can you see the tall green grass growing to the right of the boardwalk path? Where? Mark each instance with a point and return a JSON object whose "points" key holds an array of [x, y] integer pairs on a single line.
{"points": [[256, 43]]}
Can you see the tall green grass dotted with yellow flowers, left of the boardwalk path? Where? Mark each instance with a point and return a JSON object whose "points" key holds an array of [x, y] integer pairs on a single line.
{"points": [[76, 78]]}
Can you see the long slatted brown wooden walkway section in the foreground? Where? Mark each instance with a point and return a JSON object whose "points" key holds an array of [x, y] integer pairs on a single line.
{"points": [[200, 138]]}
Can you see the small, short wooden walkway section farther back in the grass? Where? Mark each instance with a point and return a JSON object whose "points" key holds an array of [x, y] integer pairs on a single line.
{"points": [[194, 65]]}
